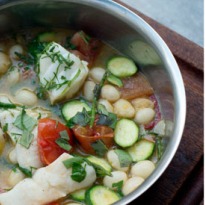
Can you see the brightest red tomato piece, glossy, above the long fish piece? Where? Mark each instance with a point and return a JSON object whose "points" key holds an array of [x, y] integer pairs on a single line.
{"points": [[48, 132]]}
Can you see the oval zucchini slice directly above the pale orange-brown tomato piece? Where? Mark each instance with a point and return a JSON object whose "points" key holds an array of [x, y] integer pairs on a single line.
{"points": [[121, 66]]}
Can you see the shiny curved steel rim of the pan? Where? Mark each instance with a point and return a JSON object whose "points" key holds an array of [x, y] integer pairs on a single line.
{"points": [[142, 27]]}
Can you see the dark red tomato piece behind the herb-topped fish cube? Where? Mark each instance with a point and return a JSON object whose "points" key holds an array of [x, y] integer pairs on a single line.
{"points": [[87, 46]]}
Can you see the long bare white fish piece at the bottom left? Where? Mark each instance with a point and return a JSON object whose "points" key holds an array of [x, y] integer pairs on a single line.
{"points": [[48, 184]]}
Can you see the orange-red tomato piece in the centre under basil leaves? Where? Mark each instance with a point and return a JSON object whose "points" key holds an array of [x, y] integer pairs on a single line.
{"points": [[87, 135]]}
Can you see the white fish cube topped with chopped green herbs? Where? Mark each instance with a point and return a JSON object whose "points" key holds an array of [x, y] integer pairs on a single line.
{"points": [[61, 73]]}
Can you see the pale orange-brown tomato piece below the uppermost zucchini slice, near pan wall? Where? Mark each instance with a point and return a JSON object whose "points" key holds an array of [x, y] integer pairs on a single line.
{"points": [[135, 86]]}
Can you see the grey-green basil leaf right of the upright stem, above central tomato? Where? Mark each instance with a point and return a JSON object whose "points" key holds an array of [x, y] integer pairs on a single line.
{"points": [[108, 120]]}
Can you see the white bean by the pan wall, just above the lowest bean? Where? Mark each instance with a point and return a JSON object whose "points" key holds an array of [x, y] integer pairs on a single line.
{"points": [[142, 169]]}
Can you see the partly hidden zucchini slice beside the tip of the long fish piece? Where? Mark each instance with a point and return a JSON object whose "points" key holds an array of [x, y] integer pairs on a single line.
{"points": [[101, 166]]}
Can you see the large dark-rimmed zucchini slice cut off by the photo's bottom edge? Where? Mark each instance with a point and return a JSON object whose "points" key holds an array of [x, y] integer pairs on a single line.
{"points": [[100, 195]]}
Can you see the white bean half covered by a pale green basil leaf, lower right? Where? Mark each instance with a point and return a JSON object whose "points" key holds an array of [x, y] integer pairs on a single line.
{"points": [[114, 161]]}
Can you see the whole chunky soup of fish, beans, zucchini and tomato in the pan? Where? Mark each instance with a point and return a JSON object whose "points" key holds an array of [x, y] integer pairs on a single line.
{"points": [[79, 122]]}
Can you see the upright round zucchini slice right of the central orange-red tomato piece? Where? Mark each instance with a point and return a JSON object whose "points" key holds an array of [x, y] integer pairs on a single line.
{"points": [[126, 133]]}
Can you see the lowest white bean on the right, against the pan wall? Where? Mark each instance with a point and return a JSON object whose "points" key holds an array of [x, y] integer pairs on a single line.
{"points": [[131, 184]]}
